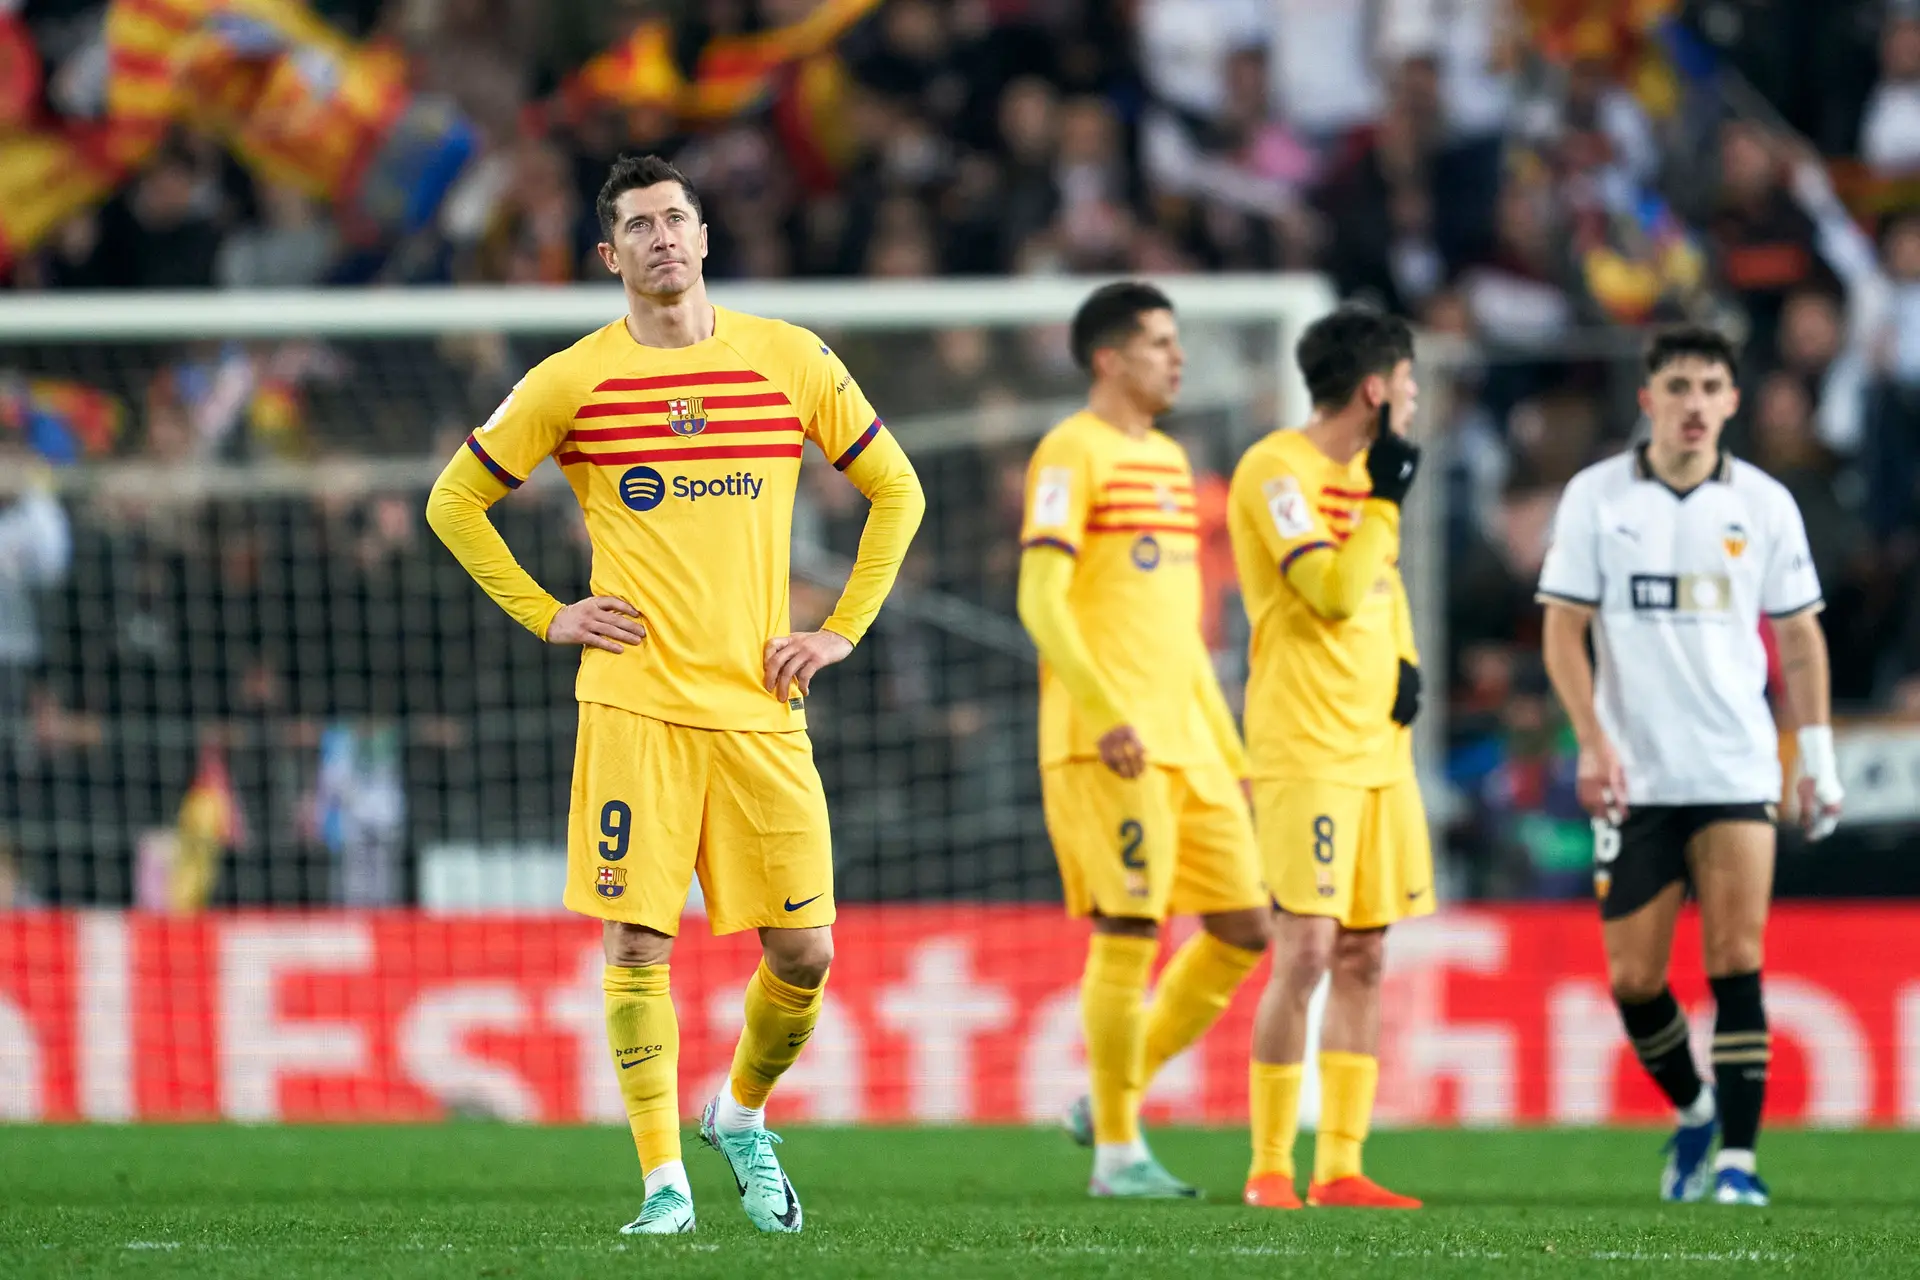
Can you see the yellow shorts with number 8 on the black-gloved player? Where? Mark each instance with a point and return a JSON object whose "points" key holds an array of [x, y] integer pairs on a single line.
{"points": [[1353, 853]]}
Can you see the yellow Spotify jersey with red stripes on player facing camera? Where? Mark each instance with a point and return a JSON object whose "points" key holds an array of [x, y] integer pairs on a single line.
{"points": [[686, 463]]}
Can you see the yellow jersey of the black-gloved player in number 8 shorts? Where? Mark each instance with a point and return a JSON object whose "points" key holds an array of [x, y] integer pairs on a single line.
{"points": [[1320, 573]]}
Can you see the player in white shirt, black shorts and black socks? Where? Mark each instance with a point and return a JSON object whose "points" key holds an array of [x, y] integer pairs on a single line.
{"points": [[1671, 554]]}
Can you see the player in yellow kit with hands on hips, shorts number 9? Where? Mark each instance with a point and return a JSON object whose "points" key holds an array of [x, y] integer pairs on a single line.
{"points": [[681, 429]]}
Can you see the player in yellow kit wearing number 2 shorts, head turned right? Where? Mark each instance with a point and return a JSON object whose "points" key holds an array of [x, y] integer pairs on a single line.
{"points": [[1141, 767]]}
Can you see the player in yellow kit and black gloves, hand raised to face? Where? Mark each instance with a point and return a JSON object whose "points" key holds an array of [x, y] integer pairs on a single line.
{"points": [[1333, 686]]}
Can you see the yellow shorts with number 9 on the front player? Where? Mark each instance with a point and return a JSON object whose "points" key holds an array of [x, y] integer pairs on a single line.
{"points": [[658, 803]]}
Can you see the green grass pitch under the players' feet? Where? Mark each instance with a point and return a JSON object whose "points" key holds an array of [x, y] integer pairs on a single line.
{"points": [[481, 1200]]}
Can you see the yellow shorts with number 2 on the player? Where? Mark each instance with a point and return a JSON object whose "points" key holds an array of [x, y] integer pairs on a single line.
{"points": [[1172, 841]]}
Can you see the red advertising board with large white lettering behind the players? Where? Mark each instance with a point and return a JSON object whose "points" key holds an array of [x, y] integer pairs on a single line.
{"points": [[938, 1014]]}
